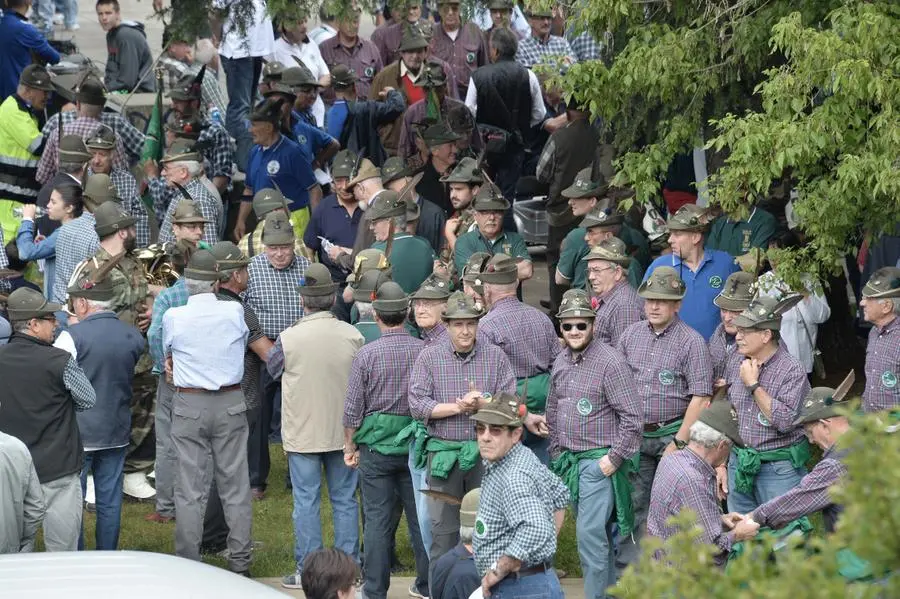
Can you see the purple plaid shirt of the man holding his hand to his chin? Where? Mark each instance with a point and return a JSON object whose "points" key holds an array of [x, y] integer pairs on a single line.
{"points": [[784, 378]]}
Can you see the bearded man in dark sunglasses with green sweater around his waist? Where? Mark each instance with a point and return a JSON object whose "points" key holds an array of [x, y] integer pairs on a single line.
{"points": [[595, 420]]}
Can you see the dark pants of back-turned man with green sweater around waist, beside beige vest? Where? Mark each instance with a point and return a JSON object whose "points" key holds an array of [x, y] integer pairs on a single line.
{"points": [[384, 482]]}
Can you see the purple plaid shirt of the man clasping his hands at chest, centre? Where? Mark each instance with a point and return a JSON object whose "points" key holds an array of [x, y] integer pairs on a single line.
{"points": [[441, 376]]}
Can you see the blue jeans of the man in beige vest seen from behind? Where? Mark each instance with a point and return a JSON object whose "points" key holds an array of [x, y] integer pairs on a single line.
{"points": [[306, 478]]}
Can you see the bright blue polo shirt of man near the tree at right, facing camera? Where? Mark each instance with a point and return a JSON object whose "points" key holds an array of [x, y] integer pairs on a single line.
{"points": [[697, 308]]}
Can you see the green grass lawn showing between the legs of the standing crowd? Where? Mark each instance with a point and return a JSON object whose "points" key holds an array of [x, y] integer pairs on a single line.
{"points": [[272, 525]]}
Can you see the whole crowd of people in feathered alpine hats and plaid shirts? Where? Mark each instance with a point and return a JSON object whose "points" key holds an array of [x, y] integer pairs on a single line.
{"points": [[330, 262]]}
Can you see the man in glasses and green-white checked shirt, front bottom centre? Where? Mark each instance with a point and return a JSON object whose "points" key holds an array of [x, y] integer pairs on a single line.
{"points": [[521, 510]]}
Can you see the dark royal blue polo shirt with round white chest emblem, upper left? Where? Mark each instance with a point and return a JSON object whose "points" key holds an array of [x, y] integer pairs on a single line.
{"points": [[285, 164]]}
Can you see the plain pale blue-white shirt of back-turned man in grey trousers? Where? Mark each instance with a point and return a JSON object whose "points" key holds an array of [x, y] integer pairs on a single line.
{"points": [[207, 340]]}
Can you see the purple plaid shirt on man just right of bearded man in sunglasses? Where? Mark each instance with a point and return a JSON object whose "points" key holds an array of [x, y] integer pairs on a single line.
{"points": [[668, 367]]}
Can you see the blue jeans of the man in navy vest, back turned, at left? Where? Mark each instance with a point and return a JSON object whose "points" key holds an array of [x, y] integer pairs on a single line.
{"points": [[108, 467]]}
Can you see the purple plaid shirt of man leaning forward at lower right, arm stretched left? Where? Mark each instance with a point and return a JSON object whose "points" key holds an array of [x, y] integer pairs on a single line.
{"points": [[811, 495]]}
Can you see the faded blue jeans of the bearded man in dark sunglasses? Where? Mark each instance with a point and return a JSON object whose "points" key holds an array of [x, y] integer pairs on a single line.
{"points": [[593, 529]]}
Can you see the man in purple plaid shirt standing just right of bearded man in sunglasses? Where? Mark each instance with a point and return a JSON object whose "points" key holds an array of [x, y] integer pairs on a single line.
{"points": [[671, 367]]}
